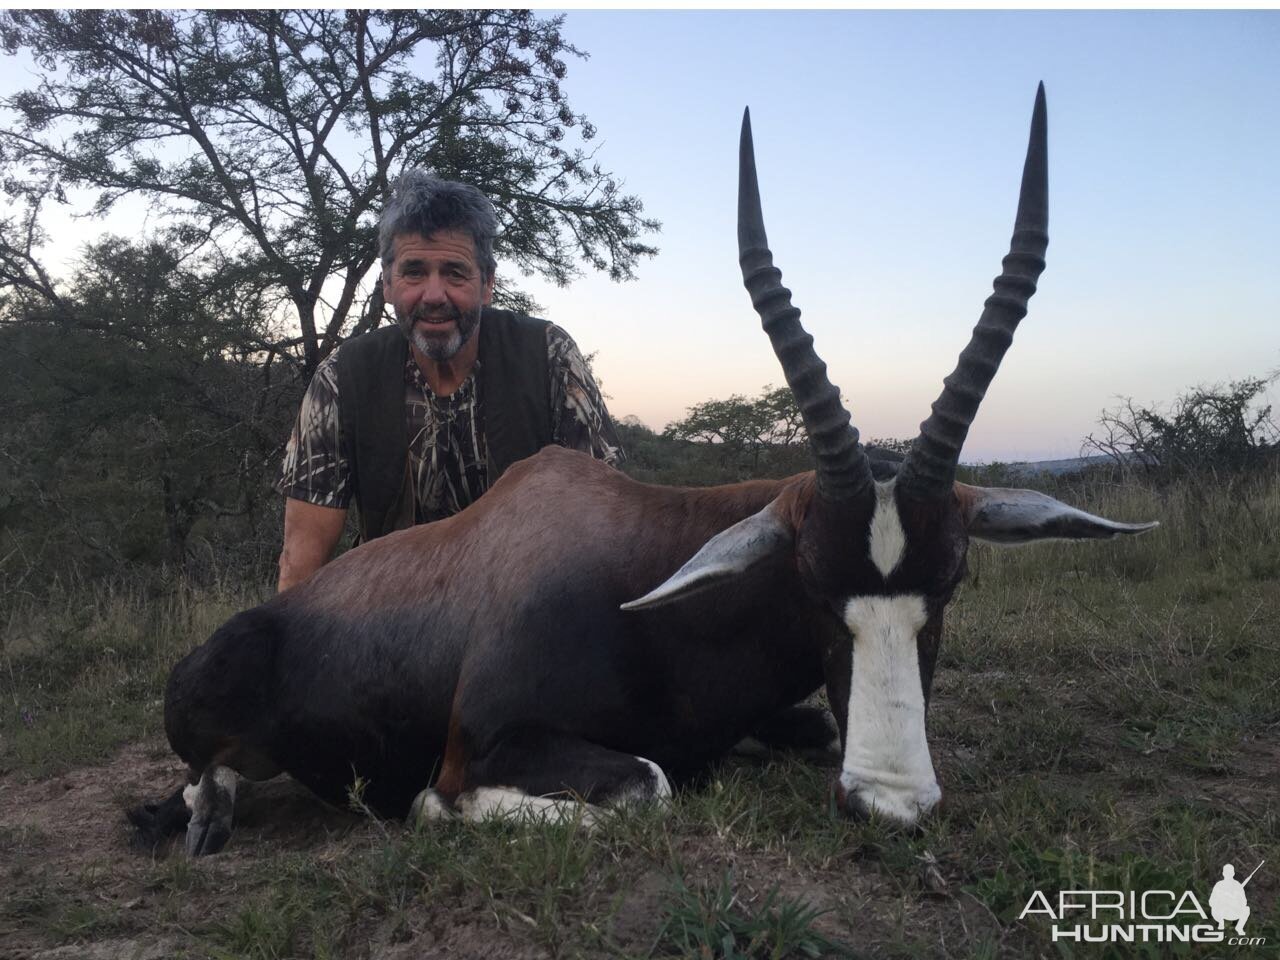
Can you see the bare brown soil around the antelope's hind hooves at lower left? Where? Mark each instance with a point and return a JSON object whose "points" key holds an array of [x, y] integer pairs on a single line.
{"points": [[72, 886]]}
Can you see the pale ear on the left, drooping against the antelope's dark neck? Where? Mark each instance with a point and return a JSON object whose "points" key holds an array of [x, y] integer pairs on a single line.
{"points": [[728, 555]]}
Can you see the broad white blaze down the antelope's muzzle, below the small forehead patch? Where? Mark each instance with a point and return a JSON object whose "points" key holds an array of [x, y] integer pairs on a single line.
{"points": [[888, 761]]}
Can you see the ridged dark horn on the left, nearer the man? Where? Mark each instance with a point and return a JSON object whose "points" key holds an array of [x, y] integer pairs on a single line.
{"points": [[843, 469]]}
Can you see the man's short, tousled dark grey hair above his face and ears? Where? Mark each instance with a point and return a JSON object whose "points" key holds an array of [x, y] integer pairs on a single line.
{"points": [[422, 203]]}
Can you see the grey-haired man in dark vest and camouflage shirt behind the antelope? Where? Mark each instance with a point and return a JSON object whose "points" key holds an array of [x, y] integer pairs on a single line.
{"points": [[414, 423]]}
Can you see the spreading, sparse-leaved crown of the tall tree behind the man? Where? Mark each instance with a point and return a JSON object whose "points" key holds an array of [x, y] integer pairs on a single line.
{"points": [[269, 139]]}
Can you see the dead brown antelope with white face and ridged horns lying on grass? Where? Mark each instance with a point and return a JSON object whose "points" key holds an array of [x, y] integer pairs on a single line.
{"points": [[577, 634]]}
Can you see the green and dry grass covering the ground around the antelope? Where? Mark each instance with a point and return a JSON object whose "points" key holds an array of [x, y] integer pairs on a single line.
{"points": [[1105, 716]]}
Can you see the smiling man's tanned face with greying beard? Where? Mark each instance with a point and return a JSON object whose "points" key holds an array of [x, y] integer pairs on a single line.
{"points": [[436, 289]]}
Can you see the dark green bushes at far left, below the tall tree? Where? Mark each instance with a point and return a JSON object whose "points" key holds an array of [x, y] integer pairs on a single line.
{"points": [[132, 427]]}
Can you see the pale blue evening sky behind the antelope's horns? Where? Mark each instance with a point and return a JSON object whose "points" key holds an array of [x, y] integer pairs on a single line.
{"points": [[890, 148]]}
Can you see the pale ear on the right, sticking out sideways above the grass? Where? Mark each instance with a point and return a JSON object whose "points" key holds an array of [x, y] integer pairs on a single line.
{"points": [[1009, 516]]}
